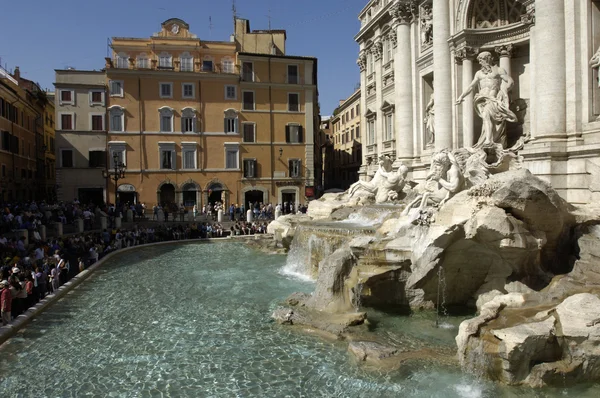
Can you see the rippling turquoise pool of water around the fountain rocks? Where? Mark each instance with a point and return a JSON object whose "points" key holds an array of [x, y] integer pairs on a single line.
{"points": [[193, 320]]}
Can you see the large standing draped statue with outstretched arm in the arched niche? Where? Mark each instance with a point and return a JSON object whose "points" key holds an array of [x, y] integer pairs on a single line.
{"points": [[491, 101]]}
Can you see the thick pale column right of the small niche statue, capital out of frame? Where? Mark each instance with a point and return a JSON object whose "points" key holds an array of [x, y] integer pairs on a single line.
{"points": [[442, 77]]}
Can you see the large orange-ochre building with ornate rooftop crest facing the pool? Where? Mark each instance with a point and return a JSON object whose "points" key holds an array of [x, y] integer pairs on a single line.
{"points": [[199, 121]]}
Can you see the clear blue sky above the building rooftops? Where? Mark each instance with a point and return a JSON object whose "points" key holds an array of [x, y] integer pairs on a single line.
{"points": [[42, 35]]}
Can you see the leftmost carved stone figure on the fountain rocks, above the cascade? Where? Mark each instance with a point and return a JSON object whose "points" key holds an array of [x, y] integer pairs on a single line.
{"points": [[385, 185]]}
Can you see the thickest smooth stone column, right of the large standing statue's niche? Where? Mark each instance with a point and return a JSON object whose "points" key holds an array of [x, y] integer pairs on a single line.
{"points": [[549, 69]]}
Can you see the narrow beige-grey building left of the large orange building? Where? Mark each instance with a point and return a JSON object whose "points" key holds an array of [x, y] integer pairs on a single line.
{"points": [[80, 143]]}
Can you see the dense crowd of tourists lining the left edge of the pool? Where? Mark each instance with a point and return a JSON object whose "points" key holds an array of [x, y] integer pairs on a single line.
{"points": [[32, 268]]}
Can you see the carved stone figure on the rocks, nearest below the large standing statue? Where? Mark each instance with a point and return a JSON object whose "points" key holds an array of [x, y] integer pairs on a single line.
{"points": [[445, 179]]}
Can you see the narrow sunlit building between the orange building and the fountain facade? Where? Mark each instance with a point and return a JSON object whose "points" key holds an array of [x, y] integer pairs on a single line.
{"points": [[347, 147]]}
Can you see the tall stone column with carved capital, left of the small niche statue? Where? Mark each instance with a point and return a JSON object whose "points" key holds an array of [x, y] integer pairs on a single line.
{"points": [[403, 14]]}
